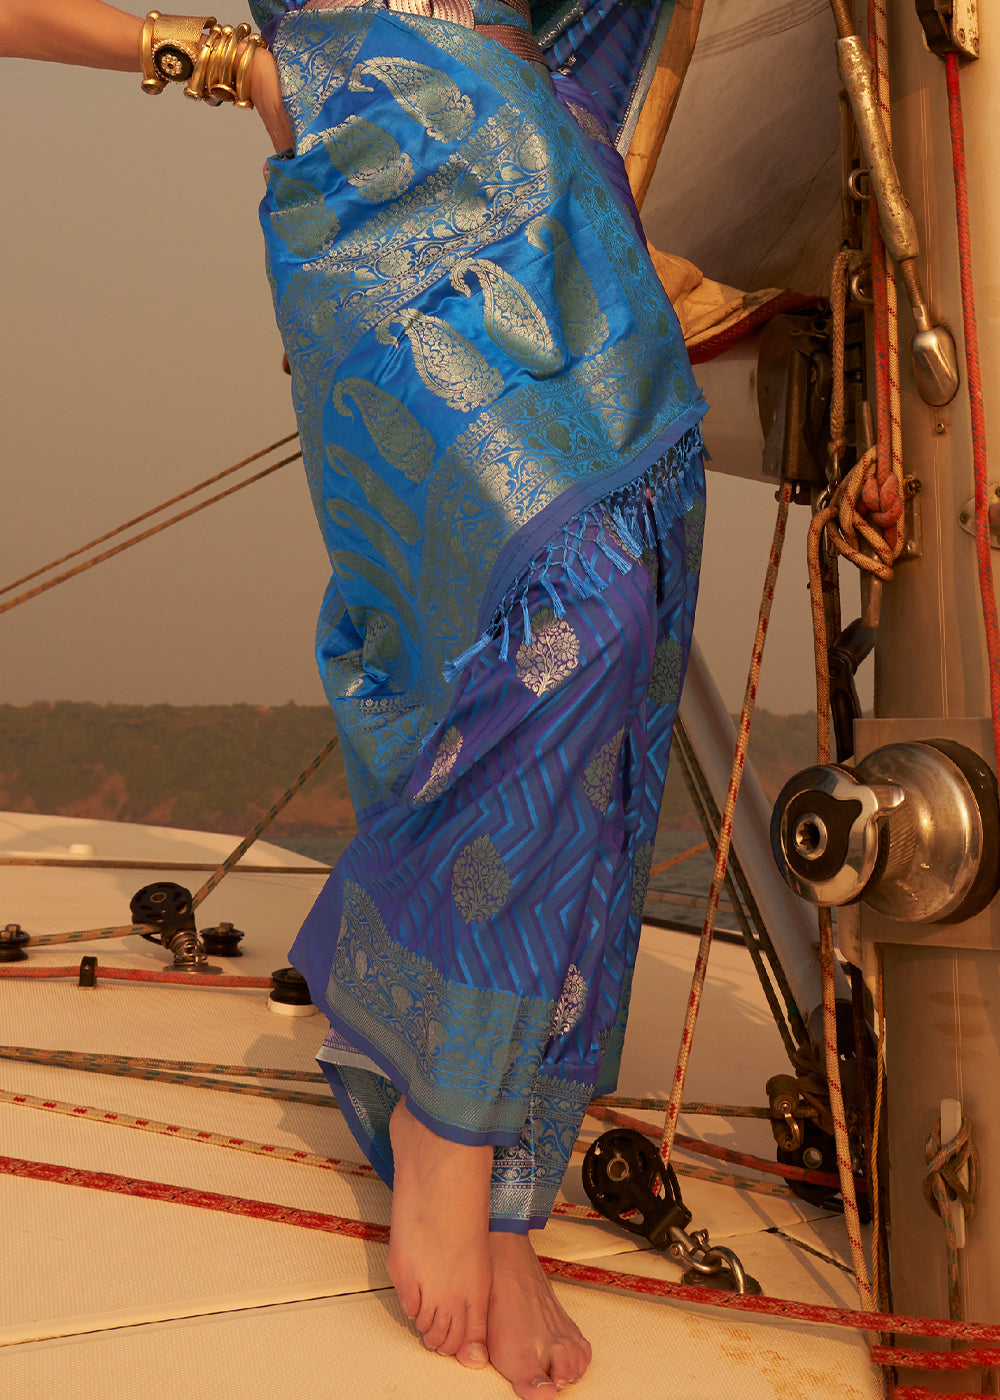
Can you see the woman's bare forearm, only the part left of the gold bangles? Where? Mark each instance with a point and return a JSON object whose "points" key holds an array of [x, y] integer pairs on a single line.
{"points": [[89, 33]]}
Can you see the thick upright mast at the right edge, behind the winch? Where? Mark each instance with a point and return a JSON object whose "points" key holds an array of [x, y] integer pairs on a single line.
{"points": [[942, 981]]}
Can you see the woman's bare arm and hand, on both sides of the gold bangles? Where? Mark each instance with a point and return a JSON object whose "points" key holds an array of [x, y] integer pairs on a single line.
{"points": [[99, 36]]}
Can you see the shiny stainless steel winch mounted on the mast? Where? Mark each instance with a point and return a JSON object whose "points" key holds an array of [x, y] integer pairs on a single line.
{"points": [[912, 831]]}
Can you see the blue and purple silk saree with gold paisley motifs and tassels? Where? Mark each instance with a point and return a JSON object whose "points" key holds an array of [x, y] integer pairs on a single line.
{"points": [[502, 439]]}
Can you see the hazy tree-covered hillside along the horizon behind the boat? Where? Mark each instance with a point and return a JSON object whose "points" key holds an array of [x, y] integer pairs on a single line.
{"points": [[221, 768]]}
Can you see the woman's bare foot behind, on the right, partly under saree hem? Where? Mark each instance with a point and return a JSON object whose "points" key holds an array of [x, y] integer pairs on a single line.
{"points": [[533, 1342]]}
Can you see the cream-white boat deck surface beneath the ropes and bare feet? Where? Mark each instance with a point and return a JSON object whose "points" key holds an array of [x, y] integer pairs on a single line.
{"points": [[135, 1300]]}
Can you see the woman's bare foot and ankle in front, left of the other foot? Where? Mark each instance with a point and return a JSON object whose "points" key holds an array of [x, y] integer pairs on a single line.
{"points": [[439, 1245]]}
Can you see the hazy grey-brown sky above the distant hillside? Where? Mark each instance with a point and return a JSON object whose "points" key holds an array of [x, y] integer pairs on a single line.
{"points": [[139, 356]]}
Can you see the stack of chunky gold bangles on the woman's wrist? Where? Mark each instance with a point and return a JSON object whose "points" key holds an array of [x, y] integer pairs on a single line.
{"points": [[214, 61]]}
